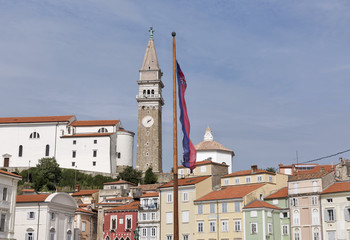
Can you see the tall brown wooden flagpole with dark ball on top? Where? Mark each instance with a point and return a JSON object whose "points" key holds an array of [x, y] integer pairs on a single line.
{"points": [[176, 188]]}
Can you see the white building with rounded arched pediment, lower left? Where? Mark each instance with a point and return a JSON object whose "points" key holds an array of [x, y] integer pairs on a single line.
{"points": [[48, 218]]}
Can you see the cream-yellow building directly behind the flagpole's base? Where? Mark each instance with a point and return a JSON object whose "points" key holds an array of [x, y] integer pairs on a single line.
{"points": [[189, 190]]}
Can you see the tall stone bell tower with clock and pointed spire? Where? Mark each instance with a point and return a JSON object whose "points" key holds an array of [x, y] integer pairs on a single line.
{"points": [[150, 102]]}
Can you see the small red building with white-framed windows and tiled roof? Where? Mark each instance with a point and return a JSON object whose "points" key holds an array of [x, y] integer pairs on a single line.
{"points": [[120, 222]]}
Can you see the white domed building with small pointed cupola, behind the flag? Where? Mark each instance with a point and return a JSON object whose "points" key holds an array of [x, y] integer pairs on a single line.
{"points": [[216, 152]]}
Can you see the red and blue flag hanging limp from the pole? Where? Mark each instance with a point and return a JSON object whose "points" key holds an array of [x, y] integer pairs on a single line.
{"points": [[189, 155]]}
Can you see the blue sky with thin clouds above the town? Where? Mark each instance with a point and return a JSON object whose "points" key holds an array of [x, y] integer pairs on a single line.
{"points": [[269, 77]]}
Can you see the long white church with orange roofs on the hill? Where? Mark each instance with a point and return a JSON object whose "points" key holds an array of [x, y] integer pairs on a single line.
{"points": [[97, 145]]}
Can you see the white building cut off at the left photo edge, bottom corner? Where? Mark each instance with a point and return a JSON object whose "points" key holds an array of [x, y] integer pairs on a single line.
{"points": [[8, 190]]}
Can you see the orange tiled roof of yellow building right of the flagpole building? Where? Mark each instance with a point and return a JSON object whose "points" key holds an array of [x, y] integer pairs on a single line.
{"points": [[230, 192]]}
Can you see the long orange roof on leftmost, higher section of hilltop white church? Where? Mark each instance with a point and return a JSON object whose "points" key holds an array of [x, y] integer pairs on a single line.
{"points": [[37, 119]]}
